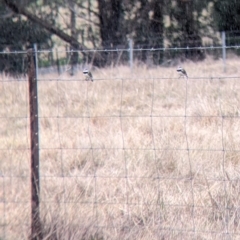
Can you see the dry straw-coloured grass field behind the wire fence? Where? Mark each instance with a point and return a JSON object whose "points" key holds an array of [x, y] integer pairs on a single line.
{"points": [[133, 155]]}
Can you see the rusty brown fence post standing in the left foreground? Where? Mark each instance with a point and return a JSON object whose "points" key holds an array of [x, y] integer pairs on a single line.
{"points": [[36, 233]]}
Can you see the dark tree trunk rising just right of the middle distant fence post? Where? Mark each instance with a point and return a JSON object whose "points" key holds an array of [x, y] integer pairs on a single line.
{"points": [[145, 25]]}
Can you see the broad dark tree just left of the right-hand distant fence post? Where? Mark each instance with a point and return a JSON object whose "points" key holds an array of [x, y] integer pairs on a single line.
{"points": [[188, 25]]}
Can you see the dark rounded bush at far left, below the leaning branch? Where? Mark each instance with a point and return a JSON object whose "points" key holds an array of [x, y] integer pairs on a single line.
{"points": [[19, 35]]}
